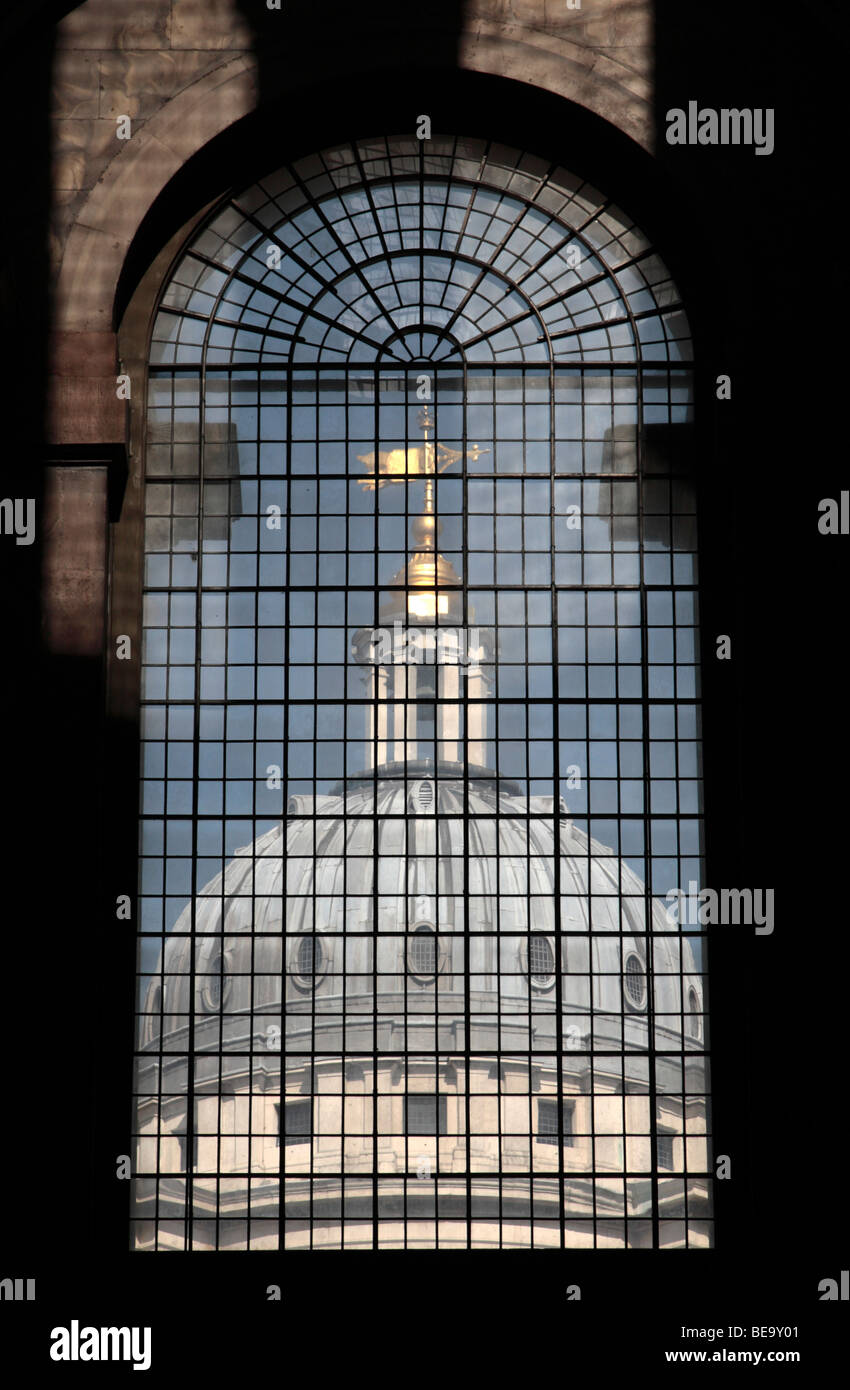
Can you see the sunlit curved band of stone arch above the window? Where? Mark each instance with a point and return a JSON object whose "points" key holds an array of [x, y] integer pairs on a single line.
{"points": [[587, 70]]}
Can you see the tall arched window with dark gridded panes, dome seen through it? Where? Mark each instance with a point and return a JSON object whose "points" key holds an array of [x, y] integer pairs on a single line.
{"points": [[422, 569]]}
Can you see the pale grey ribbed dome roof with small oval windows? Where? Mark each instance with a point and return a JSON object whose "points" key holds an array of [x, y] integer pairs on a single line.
{"points": [[423, 851]]}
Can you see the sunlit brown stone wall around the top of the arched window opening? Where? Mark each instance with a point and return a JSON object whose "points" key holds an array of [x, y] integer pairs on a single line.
{"points": [[183, 72]]}
